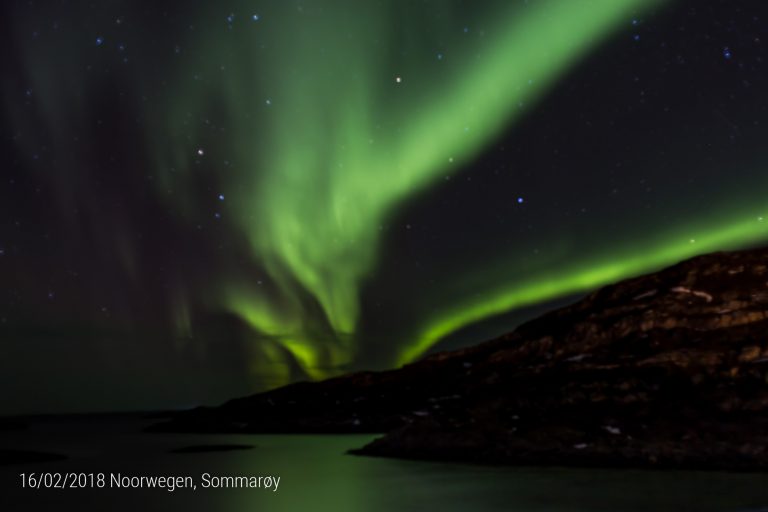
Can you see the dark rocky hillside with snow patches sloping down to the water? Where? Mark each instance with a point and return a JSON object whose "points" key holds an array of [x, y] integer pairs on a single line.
{"points": [[664, 370]]}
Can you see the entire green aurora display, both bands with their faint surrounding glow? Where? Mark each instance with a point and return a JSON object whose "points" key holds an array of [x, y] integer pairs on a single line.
{"points": [[317, 148]]}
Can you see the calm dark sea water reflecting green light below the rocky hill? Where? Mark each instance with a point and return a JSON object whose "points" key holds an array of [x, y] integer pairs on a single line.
{"points": [[316, 475]]}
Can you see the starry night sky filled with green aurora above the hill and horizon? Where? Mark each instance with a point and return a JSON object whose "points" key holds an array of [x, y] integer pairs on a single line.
{"points": [[199, 200]]}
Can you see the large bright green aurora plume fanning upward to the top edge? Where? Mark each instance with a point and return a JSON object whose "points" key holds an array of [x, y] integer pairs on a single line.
{"points": [[343, 164]]}
